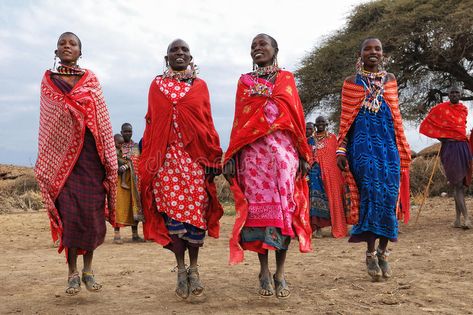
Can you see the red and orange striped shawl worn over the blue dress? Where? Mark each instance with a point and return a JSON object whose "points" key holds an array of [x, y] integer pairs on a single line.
{"points": [[352, 99]]}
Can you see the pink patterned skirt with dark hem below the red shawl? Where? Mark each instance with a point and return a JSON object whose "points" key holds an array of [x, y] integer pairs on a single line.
{"points": [[266, 172]]}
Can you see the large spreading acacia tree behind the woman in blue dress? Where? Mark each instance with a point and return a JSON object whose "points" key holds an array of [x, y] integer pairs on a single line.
{"points": [[429, 45]]}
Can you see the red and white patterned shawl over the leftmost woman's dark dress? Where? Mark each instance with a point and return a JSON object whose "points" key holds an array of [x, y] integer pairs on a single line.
{"points": [[62, 124]]}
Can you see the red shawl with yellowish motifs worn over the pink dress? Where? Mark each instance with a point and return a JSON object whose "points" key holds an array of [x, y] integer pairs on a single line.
{"points": [[250, 124]]}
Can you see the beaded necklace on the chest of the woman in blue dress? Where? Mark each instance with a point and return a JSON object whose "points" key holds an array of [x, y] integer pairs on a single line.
{"points": [[374, 89]]}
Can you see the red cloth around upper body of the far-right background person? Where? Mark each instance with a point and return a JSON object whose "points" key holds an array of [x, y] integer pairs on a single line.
{"points": [[446, 120]]}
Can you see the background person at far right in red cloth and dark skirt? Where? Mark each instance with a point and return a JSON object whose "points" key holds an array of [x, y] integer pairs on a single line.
{"points": [[447, 123]]}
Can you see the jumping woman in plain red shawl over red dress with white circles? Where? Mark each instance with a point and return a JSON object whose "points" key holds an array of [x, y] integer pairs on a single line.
{"points": [[181, 155]]}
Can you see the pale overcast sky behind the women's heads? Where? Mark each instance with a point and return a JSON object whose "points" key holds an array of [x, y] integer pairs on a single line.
{"points": [[124, 43]]}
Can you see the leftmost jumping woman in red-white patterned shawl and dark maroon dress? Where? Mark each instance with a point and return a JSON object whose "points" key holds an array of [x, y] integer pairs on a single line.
{"points": [[77, 164]]}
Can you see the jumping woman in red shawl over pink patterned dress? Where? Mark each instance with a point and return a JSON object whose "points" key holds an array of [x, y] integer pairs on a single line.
{"points": [[266, 163]]}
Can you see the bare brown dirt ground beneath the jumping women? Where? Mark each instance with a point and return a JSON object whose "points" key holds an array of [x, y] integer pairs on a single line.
{"points": [[432, 262]]}
